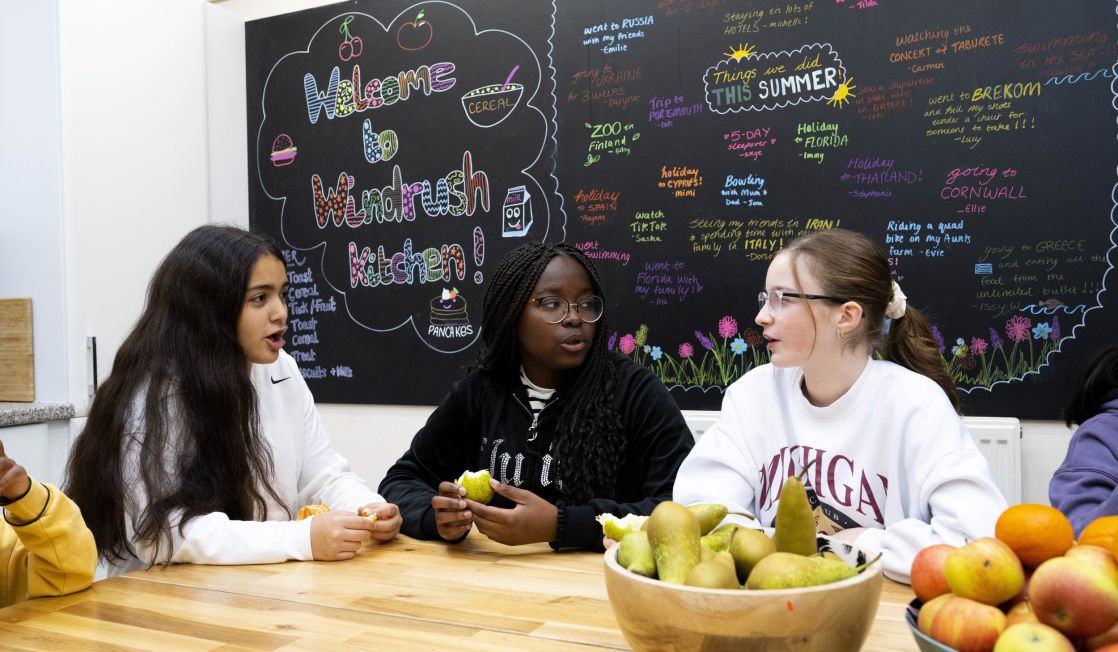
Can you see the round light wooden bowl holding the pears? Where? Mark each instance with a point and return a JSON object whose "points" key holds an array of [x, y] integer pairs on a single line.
{"points": [[657, 616]]}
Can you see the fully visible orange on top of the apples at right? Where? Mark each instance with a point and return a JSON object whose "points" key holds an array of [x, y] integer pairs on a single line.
{"points": [[1035, 533]]}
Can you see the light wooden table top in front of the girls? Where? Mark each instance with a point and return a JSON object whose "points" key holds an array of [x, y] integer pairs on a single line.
{"points": [[404, 596]]}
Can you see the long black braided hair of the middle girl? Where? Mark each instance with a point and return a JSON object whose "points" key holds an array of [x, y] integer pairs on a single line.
{"points": [[591, 440]]}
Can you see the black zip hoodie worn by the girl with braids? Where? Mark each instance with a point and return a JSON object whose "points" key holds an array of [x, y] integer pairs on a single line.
{"points": [[485, 423]]}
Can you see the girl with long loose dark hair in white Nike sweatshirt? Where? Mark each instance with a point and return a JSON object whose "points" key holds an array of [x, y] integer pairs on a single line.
{"points": [[205, 440]]}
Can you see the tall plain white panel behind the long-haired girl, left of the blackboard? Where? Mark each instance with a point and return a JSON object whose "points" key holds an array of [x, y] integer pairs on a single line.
{"points": [[134, 155]]}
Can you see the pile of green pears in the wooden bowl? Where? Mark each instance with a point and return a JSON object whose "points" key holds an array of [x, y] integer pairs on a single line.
{"points": [[681, 545]]}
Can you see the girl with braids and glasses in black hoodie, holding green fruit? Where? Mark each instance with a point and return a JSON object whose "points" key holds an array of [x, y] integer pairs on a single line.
{"points": [[567, 430]]}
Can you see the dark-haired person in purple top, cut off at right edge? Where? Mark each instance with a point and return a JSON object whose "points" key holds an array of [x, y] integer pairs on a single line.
{"points": [[1086, 486]]}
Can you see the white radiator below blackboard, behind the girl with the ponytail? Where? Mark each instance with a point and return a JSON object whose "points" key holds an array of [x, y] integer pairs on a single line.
{"points": [[998, 438]]}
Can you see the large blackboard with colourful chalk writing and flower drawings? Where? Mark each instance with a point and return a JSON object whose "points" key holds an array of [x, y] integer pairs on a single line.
{"points": [[397, 150]]}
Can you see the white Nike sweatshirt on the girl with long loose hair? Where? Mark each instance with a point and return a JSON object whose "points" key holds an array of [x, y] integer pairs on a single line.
{"points": [[308, 471]]}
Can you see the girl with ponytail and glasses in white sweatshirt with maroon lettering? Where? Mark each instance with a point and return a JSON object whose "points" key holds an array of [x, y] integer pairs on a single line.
{"points": [[858, 393]]}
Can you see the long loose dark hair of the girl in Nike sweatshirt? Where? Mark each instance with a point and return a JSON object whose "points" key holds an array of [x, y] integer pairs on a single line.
{"points": [[196, 430]]}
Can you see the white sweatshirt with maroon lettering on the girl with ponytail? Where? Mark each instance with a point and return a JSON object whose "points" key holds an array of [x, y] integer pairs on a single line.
{"points": [[890, 456]]}
